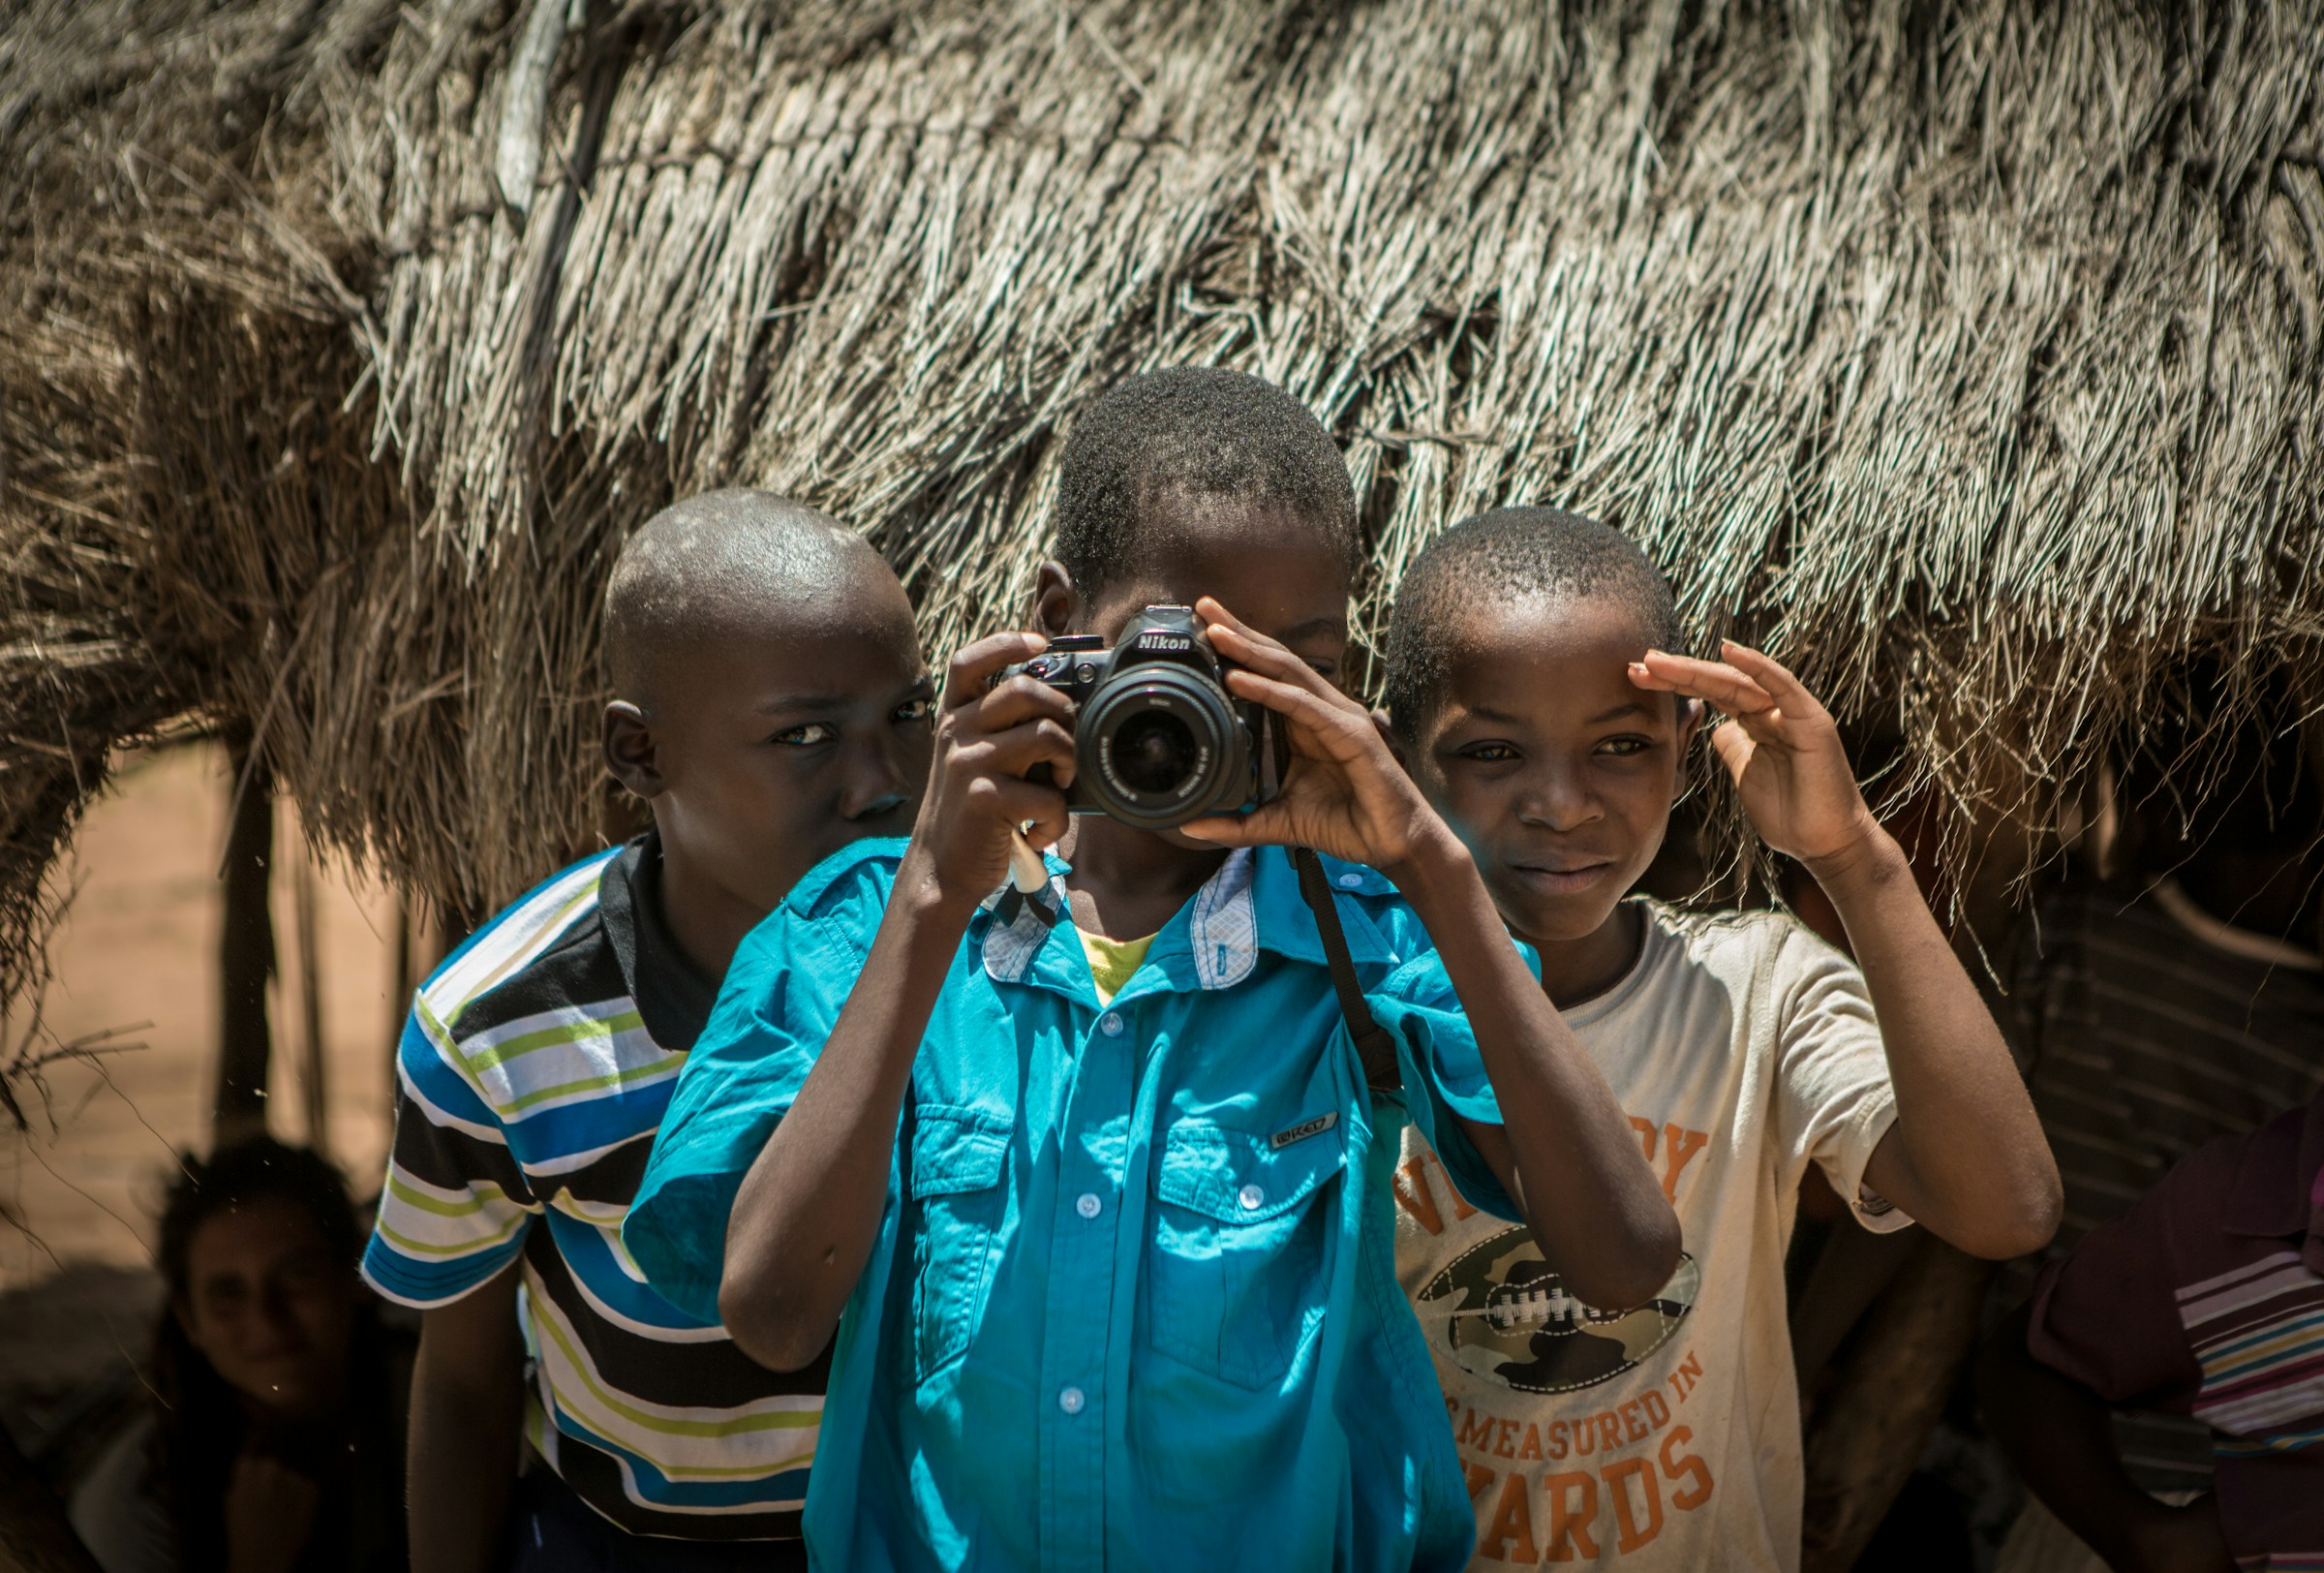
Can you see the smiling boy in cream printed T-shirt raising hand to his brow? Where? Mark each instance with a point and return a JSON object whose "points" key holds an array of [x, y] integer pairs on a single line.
{"points": [[1537, 708]]}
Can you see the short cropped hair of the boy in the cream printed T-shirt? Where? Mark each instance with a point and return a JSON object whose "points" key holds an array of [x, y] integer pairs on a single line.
{"points": [[1507, 556]]}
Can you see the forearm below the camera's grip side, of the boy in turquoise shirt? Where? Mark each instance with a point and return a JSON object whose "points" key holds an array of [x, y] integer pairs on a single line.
{"points": [[810, 1209]]}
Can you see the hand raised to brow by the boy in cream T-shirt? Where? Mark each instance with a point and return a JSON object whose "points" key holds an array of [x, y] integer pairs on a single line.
{"points": [[1781, 749]]}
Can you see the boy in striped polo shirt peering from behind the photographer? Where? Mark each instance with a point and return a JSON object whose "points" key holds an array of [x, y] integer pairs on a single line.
{"points": [[773, 708]]}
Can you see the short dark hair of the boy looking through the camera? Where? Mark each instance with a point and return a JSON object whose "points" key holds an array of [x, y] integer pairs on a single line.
{"points": [[1205, 433]]}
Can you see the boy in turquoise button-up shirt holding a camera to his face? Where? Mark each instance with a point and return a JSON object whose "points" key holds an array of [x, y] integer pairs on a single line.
{"points": [[1096, 1172]]}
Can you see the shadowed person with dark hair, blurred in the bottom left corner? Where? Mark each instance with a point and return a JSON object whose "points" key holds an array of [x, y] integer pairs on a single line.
{"points": [[275, 1435]]}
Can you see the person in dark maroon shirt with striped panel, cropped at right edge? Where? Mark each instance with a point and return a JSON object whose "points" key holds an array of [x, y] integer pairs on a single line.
{"points": [[2204, 1300]]}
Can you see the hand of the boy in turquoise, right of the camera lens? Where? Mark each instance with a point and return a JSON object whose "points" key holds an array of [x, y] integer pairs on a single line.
{"points": [[1342, 791]]}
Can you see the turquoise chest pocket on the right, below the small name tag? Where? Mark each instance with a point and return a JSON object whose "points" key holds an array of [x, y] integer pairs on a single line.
{"points": [[1242, 1230]]}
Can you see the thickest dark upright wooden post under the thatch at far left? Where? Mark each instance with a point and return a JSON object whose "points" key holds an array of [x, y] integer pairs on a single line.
{"points": [[245, 951]]}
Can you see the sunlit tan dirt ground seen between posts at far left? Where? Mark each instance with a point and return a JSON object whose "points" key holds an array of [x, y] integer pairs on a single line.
{"points": [[138, 956]]}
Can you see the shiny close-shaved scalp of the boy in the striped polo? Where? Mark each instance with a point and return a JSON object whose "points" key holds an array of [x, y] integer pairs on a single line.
{"points": [[726, 563]]}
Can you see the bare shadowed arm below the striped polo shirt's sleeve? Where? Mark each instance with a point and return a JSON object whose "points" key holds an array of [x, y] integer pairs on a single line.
{"points": [[466, 1444]]}
